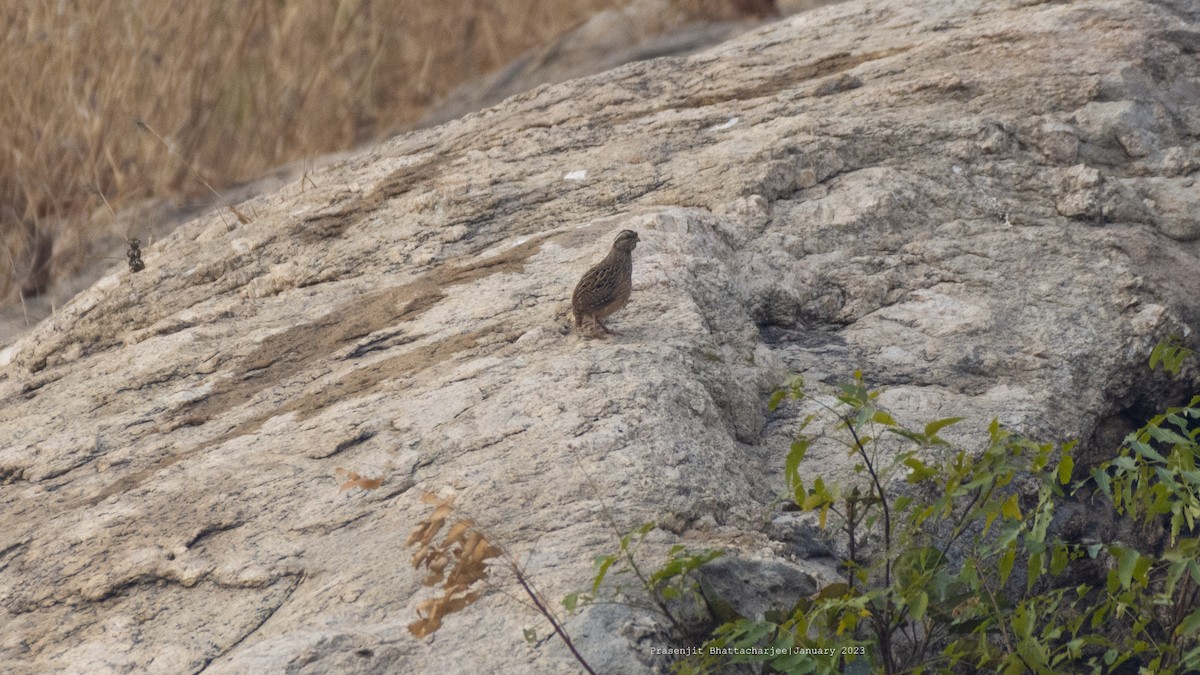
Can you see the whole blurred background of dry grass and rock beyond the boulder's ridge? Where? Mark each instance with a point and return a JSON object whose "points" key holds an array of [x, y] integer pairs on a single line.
{"points": [[143, 104]]}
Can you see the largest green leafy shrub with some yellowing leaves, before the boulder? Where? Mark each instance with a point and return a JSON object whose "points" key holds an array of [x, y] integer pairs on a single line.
{"points": [[951, 565]]}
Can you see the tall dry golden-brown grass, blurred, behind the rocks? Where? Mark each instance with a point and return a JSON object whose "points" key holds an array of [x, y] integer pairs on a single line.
{"points": [[235, 88]]}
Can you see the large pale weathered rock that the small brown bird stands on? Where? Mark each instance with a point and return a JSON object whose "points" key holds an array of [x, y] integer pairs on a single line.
{"points": [[987, 206]]}
